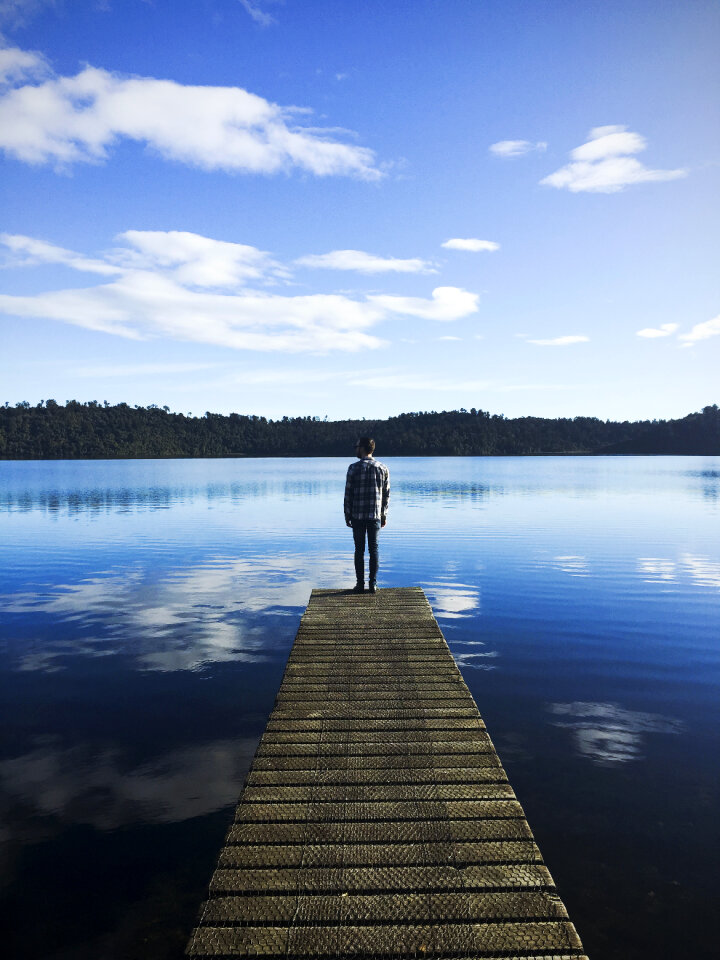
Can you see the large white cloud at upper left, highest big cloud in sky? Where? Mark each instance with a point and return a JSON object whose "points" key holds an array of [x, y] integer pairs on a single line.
{"points": [[67, 120]]}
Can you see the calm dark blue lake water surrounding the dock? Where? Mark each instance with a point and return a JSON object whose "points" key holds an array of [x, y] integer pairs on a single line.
{"points": [[148, 609]]}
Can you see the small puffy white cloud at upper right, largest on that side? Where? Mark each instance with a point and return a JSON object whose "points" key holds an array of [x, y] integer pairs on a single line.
{"points": [[604, 164]]}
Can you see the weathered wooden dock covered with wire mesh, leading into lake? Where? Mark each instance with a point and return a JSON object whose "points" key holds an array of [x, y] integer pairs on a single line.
{"points": [[376, 820]]}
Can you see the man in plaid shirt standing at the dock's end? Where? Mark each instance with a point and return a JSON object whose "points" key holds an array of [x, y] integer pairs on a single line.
{"points": [[367, 493]]}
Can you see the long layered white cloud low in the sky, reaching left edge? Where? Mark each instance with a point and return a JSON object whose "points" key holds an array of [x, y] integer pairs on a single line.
{"points": [[186, 287]]}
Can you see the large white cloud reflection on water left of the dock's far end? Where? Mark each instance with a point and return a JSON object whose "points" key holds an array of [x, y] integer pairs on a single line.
{"points": [[181, 621]]}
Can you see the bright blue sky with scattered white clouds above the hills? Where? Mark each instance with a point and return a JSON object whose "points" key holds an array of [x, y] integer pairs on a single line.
{"points": [[359, 209]]}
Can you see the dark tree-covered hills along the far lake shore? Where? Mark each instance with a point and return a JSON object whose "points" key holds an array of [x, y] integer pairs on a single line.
{"points": [[51, 431]]}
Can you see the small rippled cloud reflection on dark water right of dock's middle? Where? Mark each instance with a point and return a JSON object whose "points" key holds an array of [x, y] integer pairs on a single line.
{"points": [[607, 733]]}
